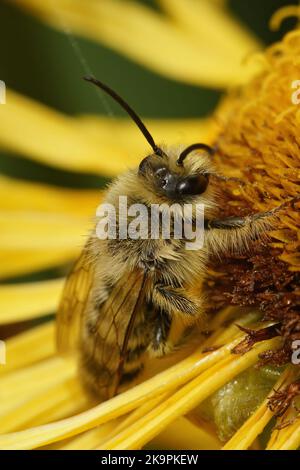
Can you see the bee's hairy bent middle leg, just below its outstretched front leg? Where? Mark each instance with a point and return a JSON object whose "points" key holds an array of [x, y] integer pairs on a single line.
{"points": [[176, 301]]}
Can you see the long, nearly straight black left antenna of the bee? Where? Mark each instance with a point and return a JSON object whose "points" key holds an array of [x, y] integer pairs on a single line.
{"points": [[129, 111]]}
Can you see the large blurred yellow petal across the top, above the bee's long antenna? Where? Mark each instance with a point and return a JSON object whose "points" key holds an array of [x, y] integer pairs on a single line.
{"points": [[145, 36]]}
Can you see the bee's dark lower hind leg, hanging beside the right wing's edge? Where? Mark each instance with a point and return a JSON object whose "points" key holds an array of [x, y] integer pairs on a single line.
{"points": [[159, 345]]}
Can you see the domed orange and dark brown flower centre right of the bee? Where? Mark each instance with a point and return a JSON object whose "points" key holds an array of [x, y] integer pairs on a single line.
{"points": [[259, 143]]}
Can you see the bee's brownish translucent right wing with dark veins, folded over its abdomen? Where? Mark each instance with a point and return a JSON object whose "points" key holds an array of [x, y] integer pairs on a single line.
{"points": [[106, 352]]}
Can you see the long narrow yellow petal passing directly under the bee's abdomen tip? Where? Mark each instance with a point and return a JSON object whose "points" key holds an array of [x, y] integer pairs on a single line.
{"points": [[117, 406]]}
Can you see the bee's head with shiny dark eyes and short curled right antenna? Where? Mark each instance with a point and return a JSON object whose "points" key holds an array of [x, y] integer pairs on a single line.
{"points": [[174, 176]]}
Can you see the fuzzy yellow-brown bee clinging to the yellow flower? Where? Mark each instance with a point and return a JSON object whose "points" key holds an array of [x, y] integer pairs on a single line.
{"points": [[122, 297]]}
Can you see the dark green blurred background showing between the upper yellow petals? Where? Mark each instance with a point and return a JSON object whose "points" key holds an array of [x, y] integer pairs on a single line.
{"points": [[40, 62]]}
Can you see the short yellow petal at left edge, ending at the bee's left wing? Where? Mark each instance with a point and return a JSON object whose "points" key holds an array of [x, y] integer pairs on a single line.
{"points": [[19, 302]]}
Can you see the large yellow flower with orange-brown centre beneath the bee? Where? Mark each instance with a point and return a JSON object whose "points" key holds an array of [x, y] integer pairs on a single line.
{"points": [[42, 404]]}
